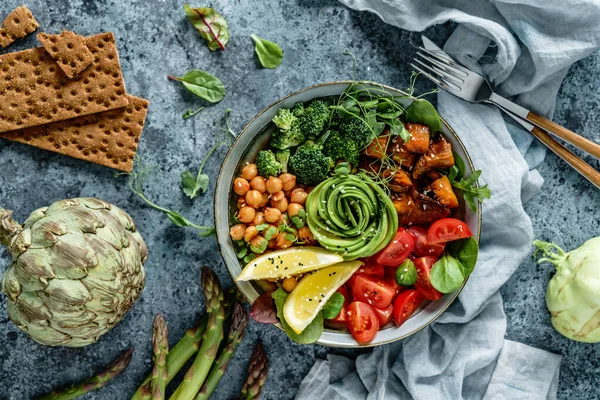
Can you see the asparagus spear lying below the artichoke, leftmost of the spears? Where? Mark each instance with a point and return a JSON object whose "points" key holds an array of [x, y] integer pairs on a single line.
{"points": [[95, 382]]}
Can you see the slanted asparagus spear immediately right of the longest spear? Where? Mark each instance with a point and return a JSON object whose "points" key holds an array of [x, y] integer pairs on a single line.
{"points": [[235, 336]]}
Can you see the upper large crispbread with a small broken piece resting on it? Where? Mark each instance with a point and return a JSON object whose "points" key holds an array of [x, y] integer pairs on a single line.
{"points": [[34, 91]]}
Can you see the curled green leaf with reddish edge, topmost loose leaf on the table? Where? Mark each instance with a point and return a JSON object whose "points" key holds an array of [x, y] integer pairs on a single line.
{"points": [[210, 24]]}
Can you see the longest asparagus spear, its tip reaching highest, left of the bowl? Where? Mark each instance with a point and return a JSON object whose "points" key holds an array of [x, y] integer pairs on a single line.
{"points": [[195, 376]]}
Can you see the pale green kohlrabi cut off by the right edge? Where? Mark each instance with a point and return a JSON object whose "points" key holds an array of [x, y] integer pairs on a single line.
{"points": [[573, 294]]}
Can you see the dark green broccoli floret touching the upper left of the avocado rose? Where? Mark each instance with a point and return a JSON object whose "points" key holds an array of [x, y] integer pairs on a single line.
{"points": [[309, 164]]}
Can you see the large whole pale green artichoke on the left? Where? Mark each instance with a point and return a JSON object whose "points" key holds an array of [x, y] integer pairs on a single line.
{"points": [[77, 268]]}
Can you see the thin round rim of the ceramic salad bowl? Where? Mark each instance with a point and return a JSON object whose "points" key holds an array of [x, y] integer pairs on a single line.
{"points": [[349, 82]]}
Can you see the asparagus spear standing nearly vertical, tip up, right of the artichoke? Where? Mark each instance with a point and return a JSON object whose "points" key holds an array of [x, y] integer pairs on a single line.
{"points": [[160, 346]]}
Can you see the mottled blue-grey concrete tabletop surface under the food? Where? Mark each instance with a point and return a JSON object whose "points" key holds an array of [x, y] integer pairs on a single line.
{"points": [[155, 40]]}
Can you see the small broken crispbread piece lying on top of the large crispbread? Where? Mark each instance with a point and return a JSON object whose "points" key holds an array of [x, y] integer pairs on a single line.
{"points": [[69, 50]]}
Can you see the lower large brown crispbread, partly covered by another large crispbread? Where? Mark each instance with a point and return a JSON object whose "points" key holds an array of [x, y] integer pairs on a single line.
{"points": [[109, 138]]}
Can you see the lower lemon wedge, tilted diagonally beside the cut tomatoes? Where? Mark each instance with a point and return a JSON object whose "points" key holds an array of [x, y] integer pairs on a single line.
{"points": [[312, 292]]}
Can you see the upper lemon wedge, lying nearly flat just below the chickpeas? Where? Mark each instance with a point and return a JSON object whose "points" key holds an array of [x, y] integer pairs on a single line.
{"points": [[288, 262]]}
